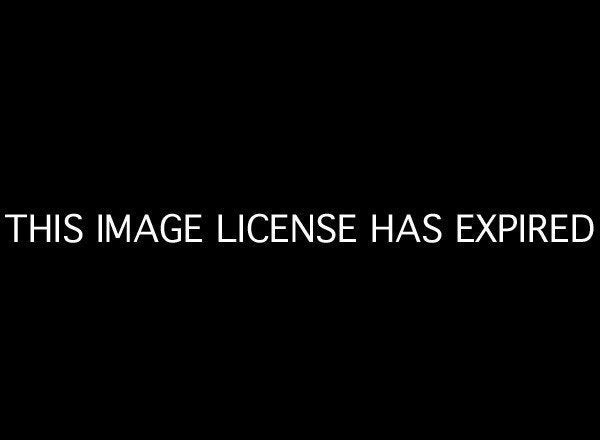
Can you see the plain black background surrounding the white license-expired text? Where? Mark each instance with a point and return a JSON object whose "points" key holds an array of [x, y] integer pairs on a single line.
{"points": [[368, 113]]}
